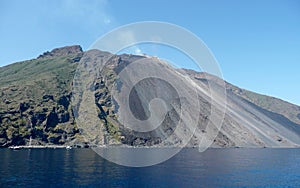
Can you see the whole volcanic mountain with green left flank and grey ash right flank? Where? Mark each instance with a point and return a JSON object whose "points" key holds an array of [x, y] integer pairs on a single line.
{"points": [[41, 99]]}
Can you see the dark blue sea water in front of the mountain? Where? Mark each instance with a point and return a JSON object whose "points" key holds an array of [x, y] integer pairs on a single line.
{"points": [[189, 168]]}
